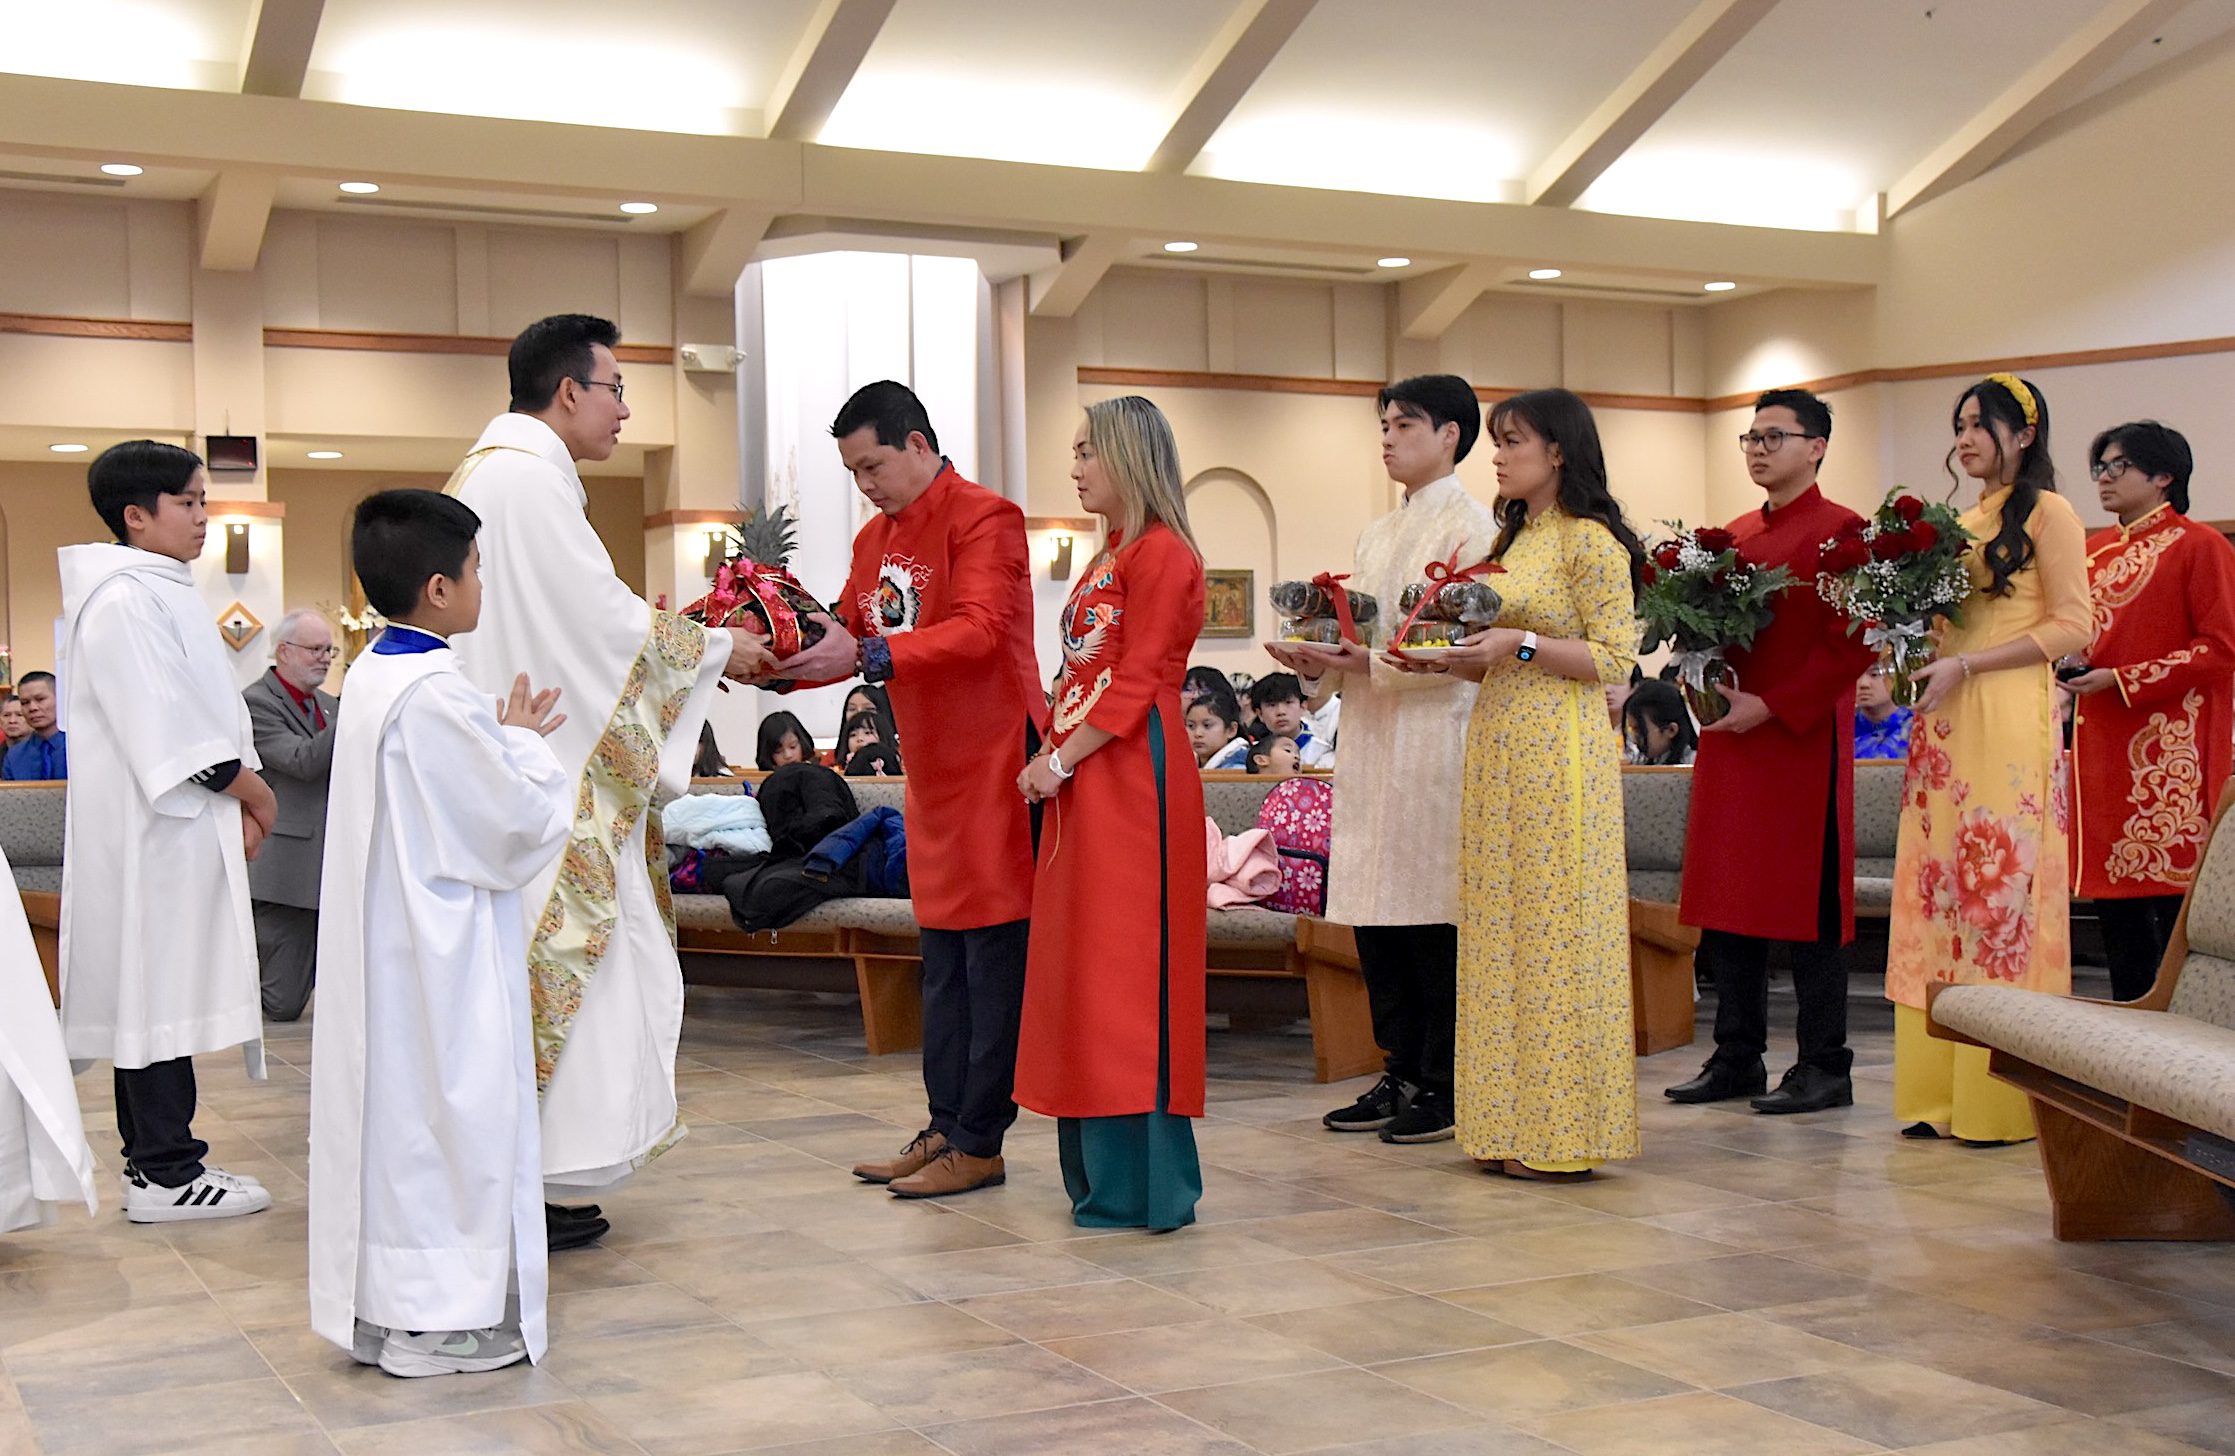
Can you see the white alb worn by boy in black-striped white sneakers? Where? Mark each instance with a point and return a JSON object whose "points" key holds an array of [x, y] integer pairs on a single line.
{"points": [[158, 949]]}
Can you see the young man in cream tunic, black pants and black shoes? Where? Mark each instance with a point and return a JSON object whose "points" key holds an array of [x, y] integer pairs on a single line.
{"points": [[1394, 855]]}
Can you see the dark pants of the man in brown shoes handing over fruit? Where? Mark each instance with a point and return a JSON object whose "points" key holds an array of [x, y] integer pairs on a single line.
{"points": [[973, 999]]}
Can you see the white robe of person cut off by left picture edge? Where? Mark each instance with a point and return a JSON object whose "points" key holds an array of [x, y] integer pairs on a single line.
{"points": [[44, 1155]]}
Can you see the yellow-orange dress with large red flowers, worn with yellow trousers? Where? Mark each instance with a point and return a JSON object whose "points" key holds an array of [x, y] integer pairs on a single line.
{"points": [[1981, 873]]}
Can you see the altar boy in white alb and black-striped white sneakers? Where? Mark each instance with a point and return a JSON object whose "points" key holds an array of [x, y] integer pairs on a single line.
{"points": [[167, 809]]}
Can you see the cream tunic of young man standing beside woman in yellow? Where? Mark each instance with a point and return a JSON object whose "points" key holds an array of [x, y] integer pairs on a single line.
{"points": [[1394, 858]]}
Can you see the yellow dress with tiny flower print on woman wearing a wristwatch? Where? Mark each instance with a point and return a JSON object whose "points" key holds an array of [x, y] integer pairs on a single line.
{"points": [[1546, 1068]]}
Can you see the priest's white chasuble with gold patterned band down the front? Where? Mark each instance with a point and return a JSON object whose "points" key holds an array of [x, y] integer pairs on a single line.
{"points": [[609, 992]]}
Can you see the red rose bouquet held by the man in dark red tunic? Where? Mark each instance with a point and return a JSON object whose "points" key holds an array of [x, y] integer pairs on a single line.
{"points": [[1704, 601]]}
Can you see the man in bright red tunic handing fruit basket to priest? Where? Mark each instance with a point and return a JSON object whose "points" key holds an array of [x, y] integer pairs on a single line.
{"points": [[940, 609]]}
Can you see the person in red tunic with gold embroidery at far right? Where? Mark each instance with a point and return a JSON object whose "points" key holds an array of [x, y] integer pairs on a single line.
{"points": [[2153, 724]]}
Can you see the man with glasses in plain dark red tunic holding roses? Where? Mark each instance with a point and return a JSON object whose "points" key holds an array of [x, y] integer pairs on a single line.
{"points": [[1771, 842]]}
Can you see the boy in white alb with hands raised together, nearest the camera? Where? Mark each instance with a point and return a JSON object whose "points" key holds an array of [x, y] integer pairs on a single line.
{"points": [[426, 1160]]}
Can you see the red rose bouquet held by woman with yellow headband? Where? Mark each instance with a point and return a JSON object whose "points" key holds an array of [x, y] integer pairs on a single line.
{"points": [[1894, 576]]}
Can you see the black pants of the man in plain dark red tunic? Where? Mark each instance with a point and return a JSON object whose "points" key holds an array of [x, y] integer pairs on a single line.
{"points": [[1742, 981]]}
